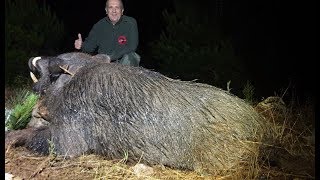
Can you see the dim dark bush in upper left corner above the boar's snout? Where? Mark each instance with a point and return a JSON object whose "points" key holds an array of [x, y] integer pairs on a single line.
{"points": [[31, 29]]}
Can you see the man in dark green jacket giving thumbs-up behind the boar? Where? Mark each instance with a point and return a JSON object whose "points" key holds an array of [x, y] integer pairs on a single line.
{"points": [[115, 35]]}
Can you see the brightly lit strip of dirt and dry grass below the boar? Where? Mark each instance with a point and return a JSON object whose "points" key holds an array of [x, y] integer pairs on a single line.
{"points": [[24, 164]]}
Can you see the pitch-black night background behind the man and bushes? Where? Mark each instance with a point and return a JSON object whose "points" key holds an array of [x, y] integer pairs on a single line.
{"points": [[280, 33]]}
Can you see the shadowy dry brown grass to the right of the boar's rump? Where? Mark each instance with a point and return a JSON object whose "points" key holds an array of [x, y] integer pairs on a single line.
{"points": [[291, 148]]}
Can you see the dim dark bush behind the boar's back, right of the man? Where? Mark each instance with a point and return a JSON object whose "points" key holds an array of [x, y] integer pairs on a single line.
{"points": [[192, 48]]}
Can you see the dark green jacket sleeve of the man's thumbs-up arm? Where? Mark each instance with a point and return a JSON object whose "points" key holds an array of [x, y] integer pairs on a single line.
{"points": [[90, 44]]}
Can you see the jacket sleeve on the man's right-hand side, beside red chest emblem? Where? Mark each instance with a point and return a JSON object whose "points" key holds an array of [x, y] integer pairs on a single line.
{"points": [[133, 41]]}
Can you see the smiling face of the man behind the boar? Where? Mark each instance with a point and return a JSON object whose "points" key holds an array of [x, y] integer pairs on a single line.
{"points": [[114, 10]]}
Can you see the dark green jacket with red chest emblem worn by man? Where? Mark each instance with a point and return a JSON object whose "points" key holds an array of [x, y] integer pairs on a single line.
{"points": [[113, 40]]}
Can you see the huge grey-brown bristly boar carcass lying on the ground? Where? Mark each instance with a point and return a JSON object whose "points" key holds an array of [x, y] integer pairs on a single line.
{"points": [[111, 109]]}
